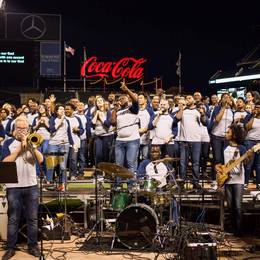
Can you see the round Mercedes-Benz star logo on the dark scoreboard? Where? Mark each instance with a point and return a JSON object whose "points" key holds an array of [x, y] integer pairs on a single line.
{"points": [[33, 27]]}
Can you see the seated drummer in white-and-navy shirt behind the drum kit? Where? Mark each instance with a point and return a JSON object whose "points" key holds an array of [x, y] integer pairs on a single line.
{"points": [[156, 170]]}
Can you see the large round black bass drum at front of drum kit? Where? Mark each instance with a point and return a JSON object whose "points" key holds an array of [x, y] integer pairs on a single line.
{"points": [[136, 226]]}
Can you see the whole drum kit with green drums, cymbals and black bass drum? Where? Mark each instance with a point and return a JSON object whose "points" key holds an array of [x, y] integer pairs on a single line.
{"points": [[140, 208]]}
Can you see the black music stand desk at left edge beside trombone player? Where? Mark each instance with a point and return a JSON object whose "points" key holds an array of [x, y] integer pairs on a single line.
{"points": [[8, 172]]}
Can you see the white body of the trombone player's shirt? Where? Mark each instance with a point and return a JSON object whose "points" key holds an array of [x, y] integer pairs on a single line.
{"points": [[26, 172]]}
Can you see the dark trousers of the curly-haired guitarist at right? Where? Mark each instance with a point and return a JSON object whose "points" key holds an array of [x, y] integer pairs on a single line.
{"points": [[234, 193]]}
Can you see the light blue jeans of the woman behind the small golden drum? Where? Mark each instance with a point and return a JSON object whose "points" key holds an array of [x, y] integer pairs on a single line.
{"points": [[63, 165]]}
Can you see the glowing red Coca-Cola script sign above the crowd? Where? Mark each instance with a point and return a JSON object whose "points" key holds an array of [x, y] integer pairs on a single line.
{"points": [[125, 68]]}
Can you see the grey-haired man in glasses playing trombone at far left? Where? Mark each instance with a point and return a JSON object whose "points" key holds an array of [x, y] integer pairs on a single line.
{"points": [[22, 196]]}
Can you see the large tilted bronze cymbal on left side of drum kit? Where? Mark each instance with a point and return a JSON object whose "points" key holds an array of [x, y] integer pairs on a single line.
{"points": [[114, 170]]}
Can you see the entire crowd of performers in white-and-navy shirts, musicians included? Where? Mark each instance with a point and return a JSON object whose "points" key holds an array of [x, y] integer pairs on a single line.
{"points": [[128, 130]]}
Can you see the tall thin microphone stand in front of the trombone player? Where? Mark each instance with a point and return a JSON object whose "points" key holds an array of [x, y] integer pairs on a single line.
{"points": [[41, 257]]}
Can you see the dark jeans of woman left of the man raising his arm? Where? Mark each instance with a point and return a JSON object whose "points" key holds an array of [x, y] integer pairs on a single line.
{"points": [[103, 148]]}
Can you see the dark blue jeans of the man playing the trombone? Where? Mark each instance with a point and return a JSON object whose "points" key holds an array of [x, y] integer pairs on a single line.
{"points": [[22, 200]]}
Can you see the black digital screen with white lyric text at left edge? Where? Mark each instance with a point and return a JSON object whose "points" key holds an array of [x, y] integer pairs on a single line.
{"points": [[17, 59]]}
